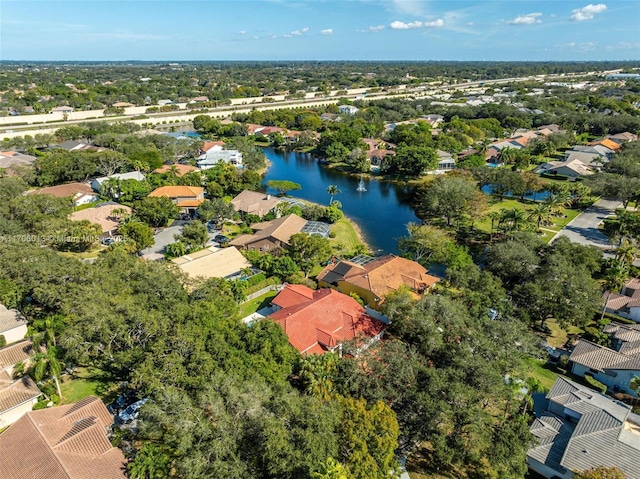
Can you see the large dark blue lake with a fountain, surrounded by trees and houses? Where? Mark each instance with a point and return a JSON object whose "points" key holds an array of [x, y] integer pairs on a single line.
{"points": [[381, 212]]}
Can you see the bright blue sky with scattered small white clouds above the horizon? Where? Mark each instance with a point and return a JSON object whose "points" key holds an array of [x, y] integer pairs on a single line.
{"points": [[319, 30]]}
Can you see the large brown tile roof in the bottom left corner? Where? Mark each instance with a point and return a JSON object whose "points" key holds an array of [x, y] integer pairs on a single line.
{"points": [[64, 442]]}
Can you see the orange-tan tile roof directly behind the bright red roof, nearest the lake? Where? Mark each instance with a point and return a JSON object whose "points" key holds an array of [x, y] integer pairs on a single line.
{"points": [[381, 276]]}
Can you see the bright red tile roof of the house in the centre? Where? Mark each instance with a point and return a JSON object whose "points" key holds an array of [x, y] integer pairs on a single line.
{"points": [[316, 321]]}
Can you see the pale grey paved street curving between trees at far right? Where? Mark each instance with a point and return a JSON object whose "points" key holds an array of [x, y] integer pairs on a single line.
{"points": [[583, 228]]}
